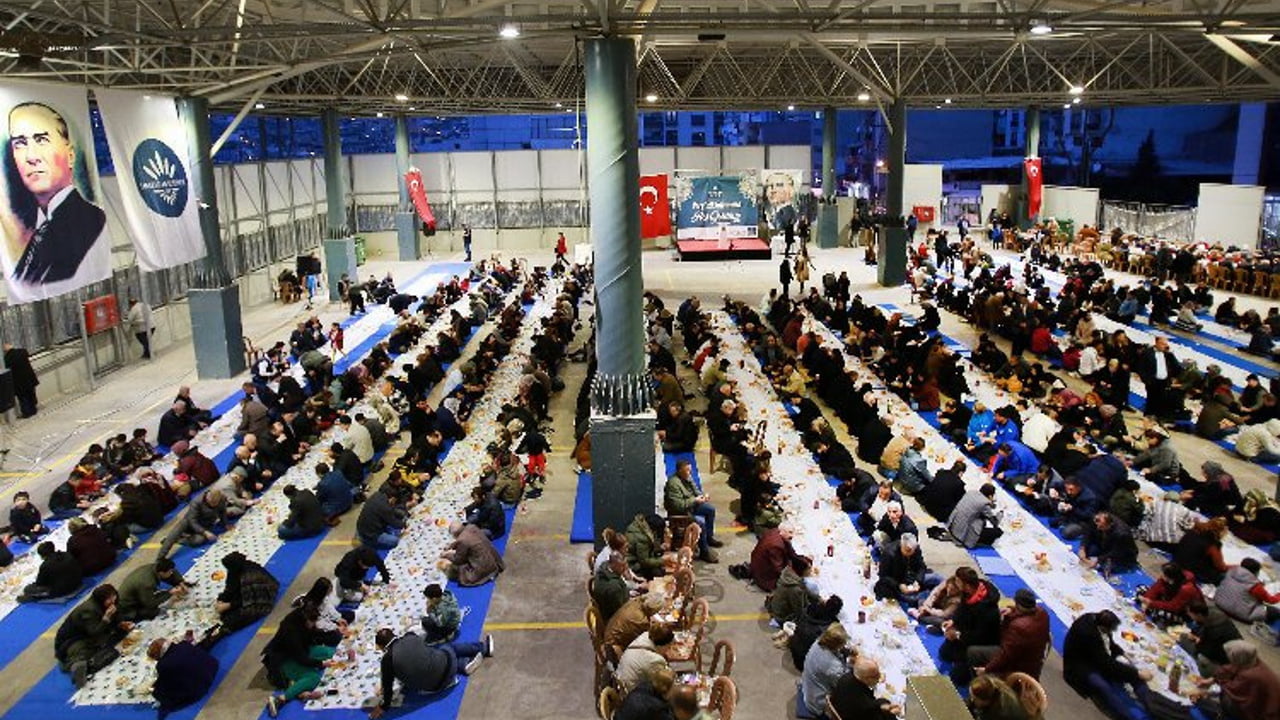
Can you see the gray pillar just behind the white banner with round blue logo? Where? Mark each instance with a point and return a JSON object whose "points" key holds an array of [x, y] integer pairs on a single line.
{"points": [[217, 329]]}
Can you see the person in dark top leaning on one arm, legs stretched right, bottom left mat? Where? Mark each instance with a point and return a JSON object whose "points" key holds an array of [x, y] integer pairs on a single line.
{"points": [[423, 668]]}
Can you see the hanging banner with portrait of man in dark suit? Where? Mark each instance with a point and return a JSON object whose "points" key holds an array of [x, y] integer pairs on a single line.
{"points": [[53, 229]]}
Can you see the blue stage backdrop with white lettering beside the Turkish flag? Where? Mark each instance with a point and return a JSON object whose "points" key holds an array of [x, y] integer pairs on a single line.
{"points": [[719, 207]]}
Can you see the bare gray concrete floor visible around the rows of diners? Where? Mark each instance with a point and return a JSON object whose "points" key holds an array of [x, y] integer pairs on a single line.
{"points": [[543, 664]]}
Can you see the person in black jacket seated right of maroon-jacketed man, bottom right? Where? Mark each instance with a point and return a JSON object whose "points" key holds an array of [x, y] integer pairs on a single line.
{"points": [[1092, 664]]}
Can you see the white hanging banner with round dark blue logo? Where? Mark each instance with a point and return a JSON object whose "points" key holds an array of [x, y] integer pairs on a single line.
{"points": [[153, 168]]}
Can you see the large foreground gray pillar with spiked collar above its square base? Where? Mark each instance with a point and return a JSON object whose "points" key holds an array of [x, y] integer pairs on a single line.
{"points": [[623, 422]]}
